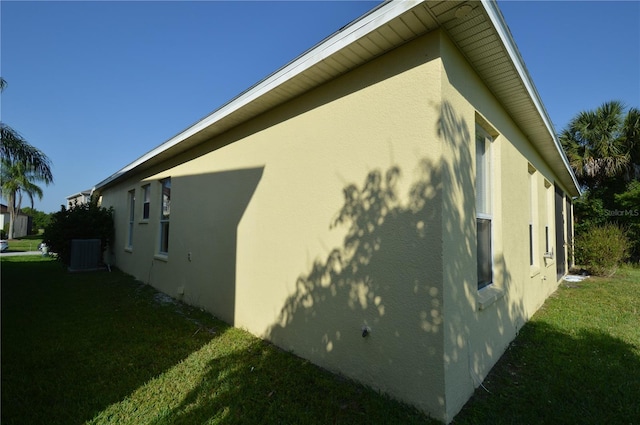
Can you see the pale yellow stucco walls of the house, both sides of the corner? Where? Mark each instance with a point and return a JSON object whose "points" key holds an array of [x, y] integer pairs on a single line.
{"points": [[354, 206]]}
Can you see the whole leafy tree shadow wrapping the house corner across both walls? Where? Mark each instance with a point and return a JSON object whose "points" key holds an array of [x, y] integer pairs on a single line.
{"points": [[388, 276]]}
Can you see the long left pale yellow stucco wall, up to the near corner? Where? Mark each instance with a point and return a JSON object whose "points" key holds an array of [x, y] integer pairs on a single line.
{"points": [[252, 234]]}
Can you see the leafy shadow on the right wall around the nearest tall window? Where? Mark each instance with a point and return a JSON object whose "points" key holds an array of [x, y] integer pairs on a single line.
{"points": [[464, 321]]}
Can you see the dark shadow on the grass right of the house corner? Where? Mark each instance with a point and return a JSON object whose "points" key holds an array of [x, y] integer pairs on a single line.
{"points": [[548, 376]]}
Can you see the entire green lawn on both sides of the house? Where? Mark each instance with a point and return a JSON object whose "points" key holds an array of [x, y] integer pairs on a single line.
{"points": [[101, 348]]}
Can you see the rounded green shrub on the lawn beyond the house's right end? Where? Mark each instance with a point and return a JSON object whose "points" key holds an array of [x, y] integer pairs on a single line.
{"points": [[602, 249]]}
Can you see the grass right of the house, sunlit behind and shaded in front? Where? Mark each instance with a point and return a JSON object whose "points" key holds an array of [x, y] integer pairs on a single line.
{"points": [[576, 361]]}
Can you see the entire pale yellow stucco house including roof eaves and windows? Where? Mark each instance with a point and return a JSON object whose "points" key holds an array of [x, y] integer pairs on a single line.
{"points": [[401, 180]]}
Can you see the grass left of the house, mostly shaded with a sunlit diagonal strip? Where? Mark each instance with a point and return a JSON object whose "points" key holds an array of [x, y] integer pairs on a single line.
{"points": [[101, 348]]}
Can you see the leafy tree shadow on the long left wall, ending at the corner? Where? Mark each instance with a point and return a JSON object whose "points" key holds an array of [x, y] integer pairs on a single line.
{"points": [[386, 279]]}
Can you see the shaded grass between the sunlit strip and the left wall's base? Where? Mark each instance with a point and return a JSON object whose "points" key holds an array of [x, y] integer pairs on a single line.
{"points": [[275, 387]]}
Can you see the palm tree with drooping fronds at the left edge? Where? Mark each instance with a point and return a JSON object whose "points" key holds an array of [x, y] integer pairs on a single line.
{"points": [[22, 166]]}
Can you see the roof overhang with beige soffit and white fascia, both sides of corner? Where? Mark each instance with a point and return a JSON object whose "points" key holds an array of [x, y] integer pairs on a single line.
{"points": [[481, 35]]}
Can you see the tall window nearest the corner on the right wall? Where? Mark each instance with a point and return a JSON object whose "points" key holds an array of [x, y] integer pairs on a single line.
{"points": [[484, 208]]}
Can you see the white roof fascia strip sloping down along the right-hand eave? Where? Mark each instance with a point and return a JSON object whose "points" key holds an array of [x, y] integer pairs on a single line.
{"points": [[505, 35]]}
